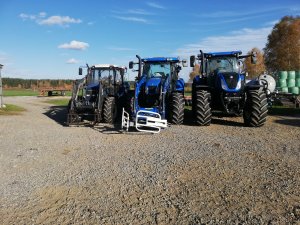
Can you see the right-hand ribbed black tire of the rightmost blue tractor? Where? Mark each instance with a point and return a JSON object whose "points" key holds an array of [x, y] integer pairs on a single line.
{"points": [[256, 109]]}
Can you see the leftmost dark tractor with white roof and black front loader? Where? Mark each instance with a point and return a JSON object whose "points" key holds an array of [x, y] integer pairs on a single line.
{"points": [[95, 97]]}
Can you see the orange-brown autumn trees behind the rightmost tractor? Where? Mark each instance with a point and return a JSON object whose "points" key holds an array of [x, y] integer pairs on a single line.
{"points": [[282, 50]]}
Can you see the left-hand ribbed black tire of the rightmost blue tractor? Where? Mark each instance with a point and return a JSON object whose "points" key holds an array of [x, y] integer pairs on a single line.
{"points": [[201, 108]]}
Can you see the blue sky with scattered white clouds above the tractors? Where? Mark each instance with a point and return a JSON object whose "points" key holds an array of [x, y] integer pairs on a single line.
{"points": [[49, 39]]}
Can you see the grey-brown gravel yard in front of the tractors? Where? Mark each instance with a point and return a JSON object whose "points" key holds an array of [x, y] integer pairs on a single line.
{"points": [[222, 174]]}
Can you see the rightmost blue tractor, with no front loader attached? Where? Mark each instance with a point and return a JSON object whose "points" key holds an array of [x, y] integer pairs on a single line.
{"points": [[221, 86]]}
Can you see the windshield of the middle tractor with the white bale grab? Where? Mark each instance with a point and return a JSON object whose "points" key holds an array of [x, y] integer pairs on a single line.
{"points": [[158, 70]]}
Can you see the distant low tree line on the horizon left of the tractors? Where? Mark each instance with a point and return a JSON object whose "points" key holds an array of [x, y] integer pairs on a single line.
{"points": [[34, 83]]}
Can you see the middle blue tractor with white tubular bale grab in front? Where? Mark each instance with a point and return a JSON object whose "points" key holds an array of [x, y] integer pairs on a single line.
{"points": [[158, 96]]}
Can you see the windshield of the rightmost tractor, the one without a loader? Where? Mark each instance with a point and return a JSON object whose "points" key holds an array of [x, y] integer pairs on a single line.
{"points": [[222, 64]]}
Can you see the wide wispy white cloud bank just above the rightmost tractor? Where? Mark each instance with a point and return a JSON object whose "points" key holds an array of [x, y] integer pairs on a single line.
{"points": [[243, 40]]}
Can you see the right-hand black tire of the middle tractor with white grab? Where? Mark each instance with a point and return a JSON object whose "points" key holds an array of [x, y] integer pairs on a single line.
{"points": [[176, 108]]}
